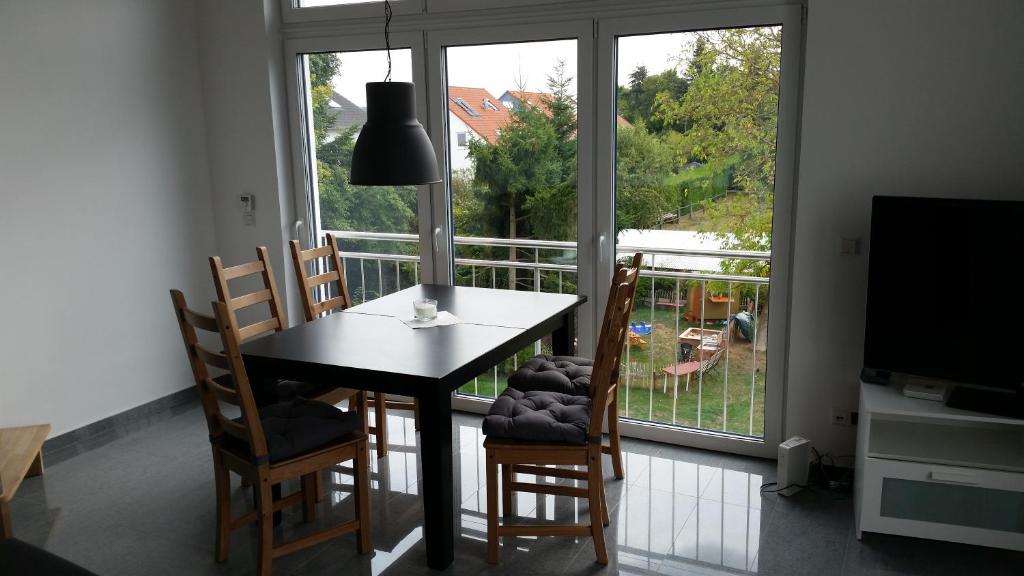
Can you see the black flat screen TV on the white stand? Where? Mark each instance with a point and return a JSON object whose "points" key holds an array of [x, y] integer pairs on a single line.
{"points": [[946, 297]]}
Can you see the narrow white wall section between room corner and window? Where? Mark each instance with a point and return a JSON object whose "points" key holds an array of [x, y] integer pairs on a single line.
{"points": [[247, 128]]}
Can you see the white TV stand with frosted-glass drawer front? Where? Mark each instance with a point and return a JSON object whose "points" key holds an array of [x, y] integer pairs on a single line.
{"points": [[928, 471]]}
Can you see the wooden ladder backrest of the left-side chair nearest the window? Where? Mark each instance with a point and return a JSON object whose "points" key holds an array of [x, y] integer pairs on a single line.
{"points": [[326, 261]]}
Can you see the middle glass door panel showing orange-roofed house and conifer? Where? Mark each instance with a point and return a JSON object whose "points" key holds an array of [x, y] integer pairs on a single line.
{"points": [[510, 107]]}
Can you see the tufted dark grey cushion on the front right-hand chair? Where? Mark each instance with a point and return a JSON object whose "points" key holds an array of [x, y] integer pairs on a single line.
{"points": [[539, 417]]}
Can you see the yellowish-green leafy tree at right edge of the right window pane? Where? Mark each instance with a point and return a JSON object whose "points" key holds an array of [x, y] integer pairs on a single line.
{"points": [[732, 111]]}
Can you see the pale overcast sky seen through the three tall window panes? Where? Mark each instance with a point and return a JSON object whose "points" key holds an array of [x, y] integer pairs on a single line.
{"points": [[499, 67]]}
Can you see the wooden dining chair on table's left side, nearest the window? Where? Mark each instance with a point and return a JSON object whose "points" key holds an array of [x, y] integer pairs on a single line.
{"points": [[321, 275]]}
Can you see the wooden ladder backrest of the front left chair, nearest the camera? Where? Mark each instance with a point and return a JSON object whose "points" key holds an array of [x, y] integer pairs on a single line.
{"points": [[211, 393]]}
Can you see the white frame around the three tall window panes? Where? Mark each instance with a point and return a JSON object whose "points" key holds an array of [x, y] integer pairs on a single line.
{"points": [[428, 23]]}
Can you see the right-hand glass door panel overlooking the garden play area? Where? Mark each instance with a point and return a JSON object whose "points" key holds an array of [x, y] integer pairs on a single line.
{"points": [[700, 184]]}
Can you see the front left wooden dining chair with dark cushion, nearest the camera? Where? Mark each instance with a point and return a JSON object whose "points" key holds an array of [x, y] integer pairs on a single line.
{"points": [[268, 446]]}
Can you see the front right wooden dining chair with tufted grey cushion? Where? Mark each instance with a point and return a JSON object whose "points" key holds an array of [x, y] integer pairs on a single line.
{"points": [[528, 432]]}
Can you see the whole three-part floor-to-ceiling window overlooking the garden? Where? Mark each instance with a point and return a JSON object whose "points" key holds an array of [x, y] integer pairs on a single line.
{"points": [[569, 142]]}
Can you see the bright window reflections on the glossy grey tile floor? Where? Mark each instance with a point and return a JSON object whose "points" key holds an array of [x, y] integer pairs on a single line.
{"points": [[677, 512]]}
